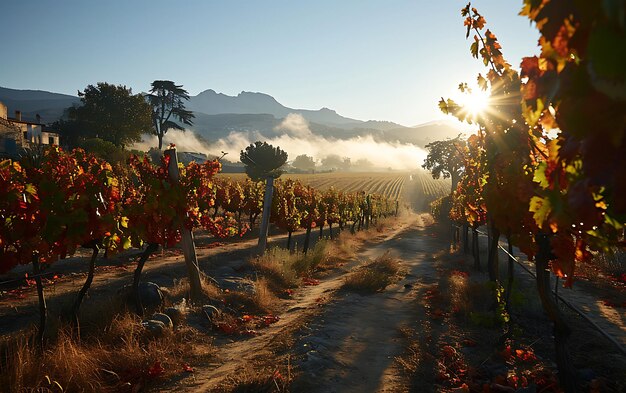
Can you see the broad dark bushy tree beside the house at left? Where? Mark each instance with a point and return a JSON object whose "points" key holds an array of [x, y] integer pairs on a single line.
{"points": [[112, 113]]}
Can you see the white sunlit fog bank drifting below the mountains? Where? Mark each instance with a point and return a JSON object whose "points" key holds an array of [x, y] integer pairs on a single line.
{"points": [[294, 136]]}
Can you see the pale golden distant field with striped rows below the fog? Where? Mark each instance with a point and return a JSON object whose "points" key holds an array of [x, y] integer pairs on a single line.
{"points": [[416, 189]]}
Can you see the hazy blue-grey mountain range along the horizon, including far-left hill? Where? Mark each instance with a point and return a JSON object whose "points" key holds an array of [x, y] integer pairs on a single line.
{"points": [[217, 115]]}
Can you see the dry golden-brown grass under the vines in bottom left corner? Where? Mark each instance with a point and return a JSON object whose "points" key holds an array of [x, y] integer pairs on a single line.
{"points": [[119, 359]]}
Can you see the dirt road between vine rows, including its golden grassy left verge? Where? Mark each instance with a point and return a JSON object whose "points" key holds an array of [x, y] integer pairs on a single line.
{"points": [[338, 341]]}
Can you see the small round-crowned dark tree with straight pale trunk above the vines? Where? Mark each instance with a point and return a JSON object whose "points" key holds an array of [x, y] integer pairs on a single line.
{"points": [[264, 161]]}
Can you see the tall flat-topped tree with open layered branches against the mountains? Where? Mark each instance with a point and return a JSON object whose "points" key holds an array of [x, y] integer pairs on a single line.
{"points": [[166, 99]]}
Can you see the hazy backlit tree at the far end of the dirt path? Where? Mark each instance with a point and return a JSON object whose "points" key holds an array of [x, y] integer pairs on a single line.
{"points": [[445, 159]]}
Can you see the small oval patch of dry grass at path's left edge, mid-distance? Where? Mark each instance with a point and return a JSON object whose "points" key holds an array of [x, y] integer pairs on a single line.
{"points": [[375, 276]]}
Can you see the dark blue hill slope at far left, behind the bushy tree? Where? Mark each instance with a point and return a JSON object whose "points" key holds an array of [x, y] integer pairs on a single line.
{"points": [[49, 106]]}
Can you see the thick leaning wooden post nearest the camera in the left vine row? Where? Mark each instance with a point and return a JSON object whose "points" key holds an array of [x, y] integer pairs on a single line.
{"points": [[187, 242]]}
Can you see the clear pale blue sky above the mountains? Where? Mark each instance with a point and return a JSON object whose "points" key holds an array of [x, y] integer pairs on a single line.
{"points": [[366, 59]]}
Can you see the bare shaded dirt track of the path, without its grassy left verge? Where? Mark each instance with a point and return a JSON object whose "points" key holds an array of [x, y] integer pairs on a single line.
{"points": [[353, 345]]}
